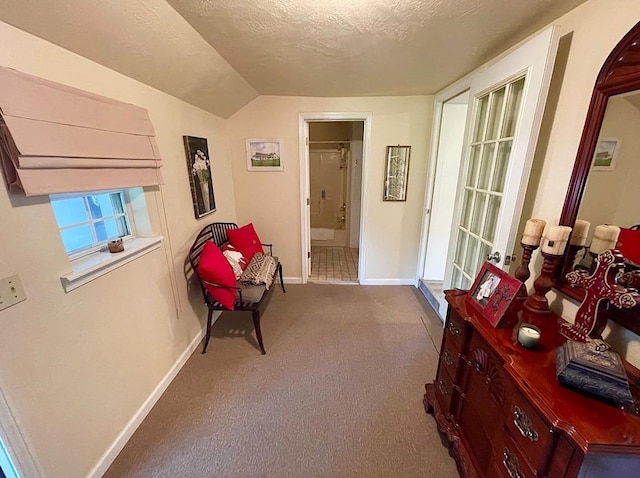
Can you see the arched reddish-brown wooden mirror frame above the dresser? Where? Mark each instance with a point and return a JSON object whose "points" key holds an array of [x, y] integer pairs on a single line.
{"points": [[620, 73]]}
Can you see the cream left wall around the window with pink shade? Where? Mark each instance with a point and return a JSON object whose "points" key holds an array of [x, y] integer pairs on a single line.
{"points": [[76, 367]]}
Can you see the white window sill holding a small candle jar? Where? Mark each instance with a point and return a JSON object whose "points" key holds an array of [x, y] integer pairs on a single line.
{"points": [[91, 267]]}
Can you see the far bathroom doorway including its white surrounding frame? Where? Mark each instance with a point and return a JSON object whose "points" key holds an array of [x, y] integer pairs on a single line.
{"points": [[333, 148]]}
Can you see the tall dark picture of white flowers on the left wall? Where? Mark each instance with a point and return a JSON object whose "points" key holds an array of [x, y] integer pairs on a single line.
{"points": [[199, 166]]}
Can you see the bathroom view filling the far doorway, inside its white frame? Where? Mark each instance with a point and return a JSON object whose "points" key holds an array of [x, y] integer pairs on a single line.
{"points": [[335, 152]]}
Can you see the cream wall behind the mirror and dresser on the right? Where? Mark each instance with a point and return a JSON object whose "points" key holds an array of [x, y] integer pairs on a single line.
{"points": [[593, 29]]}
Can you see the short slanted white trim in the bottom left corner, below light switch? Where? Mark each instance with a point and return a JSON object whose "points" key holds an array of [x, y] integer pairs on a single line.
{"points": [[16, 446]]}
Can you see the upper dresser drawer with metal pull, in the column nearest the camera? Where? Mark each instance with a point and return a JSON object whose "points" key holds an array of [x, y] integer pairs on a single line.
{"points": [[532, 434]]}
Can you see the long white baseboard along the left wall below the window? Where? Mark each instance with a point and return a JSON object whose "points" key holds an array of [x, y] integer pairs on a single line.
{"points": [[121, 440]]}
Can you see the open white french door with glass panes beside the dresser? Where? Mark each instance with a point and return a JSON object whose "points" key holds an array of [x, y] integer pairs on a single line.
{"points": [[508, 100]]}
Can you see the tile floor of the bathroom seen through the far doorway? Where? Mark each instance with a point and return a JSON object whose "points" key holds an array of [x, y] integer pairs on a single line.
{"points": [[334, 264]]}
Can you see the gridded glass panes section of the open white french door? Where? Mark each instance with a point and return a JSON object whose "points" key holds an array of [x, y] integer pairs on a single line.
{"points": [[494, 125]]}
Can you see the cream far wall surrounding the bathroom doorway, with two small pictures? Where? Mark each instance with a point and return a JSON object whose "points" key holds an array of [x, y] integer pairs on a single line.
{"points": [[271, 200]]}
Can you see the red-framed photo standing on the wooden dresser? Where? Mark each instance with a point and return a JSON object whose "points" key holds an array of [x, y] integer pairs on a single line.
{"points": [[492, 293]]}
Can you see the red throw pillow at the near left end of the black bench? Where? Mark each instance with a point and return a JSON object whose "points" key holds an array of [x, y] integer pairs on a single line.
{"points": [[214, 267]]}
